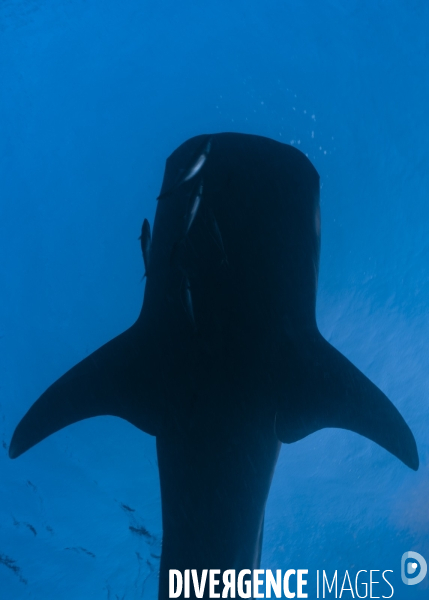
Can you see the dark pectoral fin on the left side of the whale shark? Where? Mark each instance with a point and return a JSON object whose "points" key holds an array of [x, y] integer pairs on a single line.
{"points": [[118, 379]]}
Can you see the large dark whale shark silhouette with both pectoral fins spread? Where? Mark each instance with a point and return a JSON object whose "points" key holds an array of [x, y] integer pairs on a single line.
{"points": [[225, 361]]}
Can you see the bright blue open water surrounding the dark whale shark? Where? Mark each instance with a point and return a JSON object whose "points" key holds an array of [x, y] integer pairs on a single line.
{"points": [[94, 96]]}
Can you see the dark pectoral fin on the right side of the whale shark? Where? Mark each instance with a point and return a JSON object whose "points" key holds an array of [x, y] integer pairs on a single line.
{"points": [[324, 389]]}
